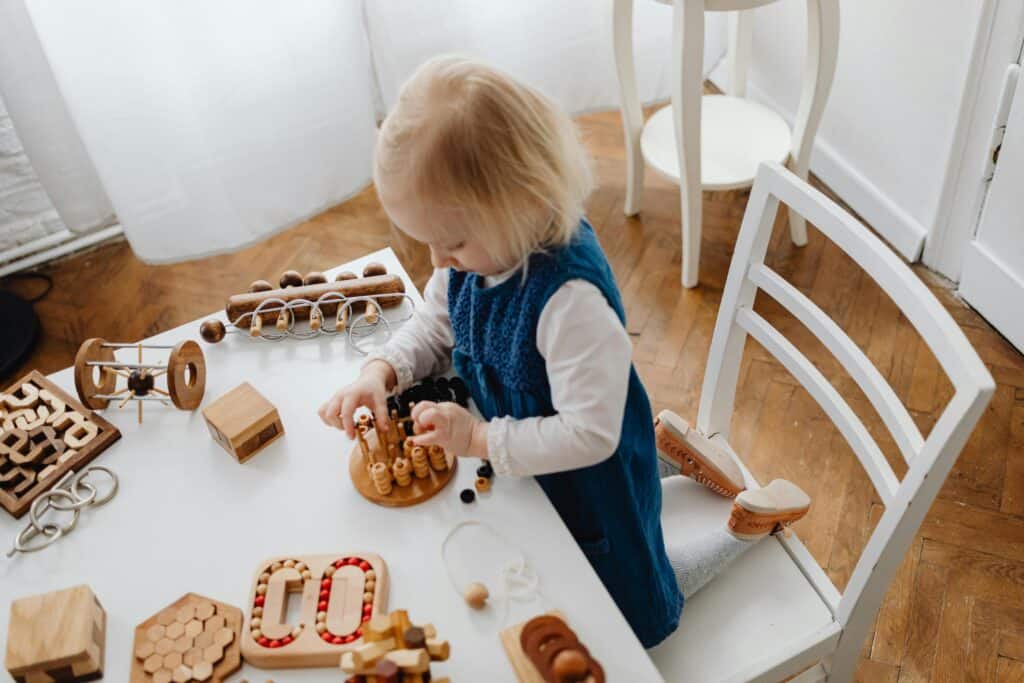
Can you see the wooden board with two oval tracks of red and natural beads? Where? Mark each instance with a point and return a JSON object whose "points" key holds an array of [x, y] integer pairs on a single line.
{"points": [[339, 594]]}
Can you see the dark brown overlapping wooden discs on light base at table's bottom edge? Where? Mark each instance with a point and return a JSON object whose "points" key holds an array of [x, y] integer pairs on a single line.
{"points": [[545, 650]]}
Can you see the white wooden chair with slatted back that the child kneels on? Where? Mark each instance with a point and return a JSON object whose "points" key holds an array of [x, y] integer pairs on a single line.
{"points": [[775, 613]]}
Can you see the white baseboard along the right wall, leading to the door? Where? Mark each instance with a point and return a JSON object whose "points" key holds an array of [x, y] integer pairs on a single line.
{"points": [[875, 207]]}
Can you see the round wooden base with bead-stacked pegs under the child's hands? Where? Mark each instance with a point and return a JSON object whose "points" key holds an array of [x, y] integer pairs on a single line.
{"points": [[382, 473]]}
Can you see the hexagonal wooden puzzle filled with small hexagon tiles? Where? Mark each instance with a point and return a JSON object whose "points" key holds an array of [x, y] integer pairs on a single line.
{"points": [[193, 639]]}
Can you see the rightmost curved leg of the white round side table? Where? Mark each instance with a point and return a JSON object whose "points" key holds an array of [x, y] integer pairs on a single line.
{"points": [[823, 50]]}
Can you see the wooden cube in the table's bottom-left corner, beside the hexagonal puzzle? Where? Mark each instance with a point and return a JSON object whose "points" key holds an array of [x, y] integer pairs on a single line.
{"points": [[57, 636]]}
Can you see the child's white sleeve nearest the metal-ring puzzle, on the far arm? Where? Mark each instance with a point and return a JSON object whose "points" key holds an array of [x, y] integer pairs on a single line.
{"points": [[422, 347]]}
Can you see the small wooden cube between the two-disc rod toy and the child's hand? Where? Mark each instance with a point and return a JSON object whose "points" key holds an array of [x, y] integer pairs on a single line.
{"points": [[243, 422]]}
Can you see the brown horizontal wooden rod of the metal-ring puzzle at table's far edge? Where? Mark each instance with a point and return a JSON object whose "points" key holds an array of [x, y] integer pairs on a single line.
{"points": [[240, 307]]}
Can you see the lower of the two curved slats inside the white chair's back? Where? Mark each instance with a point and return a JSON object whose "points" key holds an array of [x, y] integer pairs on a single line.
{"points": [[842, 415]]}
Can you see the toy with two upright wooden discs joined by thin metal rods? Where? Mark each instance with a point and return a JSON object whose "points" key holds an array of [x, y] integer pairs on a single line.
{"points": [[97, 373]]}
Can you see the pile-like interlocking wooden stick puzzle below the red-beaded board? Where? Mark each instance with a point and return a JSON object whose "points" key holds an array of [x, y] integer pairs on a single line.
{"points": [[396, 652]]}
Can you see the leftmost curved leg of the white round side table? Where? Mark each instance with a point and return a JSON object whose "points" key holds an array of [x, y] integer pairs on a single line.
{"points": [[630, 103]]}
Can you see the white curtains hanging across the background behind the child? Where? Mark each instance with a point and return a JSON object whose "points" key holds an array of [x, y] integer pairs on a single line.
{"points": [[215, 123]]}
